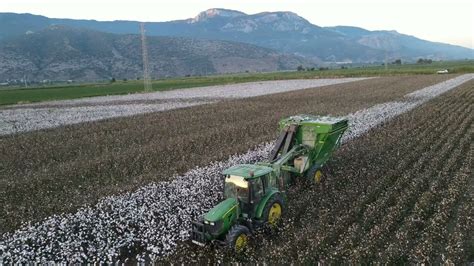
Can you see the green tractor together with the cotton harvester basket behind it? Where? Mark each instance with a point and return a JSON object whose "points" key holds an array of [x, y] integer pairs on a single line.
{"points": [[255, 194]]}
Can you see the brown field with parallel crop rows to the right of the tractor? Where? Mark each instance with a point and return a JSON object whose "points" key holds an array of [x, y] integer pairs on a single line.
{"points": [[400, 194]]}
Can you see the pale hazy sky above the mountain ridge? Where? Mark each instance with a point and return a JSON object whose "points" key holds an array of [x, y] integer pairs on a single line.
{"points": [[434, 20]]}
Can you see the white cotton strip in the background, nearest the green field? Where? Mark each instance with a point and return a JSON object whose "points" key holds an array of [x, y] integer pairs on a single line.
{"points": [[36, 116]]}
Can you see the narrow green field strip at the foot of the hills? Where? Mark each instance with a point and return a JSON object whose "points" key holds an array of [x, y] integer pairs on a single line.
{"points": [[37, 94]]}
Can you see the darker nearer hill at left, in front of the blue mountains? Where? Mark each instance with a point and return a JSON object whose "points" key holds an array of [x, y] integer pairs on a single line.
{"points": [[66, 53]]}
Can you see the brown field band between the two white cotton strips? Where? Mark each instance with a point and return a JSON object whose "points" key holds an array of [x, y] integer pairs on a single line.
{"points": [[75, 165]]}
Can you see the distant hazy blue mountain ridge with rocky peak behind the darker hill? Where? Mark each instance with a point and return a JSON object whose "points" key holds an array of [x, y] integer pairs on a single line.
{"points": [[282, 31]]}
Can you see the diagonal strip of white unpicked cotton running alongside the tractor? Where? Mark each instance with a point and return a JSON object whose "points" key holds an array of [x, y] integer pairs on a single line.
{"points": [[149, 222]]}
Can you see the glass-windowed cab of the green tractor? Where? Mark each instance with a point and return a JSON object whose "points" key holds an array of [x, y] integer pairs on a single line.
{"points": [[248, 184]]}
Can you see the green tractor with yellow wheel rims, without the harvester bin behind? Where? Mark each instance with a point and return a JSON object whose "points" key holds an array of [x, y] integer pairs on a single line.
{"points": [[248, 191]]}
